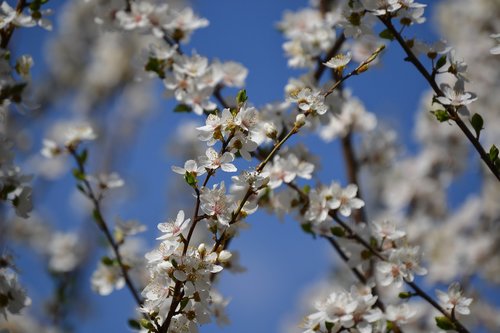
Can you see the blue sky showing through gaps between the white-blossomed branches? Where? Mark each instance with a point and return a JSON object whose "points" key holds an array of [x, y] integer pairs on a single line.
{"points": [[81, 72]]}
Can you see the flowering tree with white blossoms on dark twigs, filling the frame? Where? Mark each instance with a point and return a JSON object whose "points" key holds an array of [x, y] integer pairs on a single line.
{"points": [[410, 257]]}
